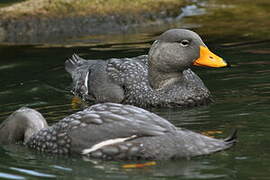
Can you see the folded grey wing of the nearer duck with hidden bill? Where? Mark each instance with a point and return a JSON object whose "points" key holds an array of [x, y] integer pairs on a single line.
{"points": [[115, 123]]}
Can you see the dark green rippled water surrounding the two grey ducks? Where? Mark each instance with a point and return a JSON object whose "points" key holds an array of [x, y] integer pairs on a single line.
{"points": [[34, 76]]}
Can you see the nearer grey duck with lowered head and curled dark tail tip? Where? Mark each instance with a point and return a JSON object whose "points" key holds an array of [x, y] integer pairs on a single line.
{"points": [[109, 131]]}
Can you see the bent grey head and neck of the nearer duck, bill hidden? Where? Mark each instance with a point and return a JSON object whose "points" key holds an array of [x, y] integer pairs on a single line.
{"points": [[21, 125]]}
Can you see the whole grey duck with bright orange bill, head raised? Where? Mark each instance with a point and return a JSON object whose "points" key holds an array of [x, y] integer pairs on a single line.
{"points": [[160, 79]]}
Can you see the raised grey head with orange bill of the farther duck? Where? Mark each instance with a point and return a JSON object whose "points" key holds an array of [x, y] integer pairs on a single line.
{"points": [[176, 50]]}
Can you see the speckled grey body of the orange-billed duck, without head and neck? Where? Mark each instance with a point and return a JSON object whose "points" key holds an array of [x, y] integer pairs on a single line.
{"points": [[126, 81]]}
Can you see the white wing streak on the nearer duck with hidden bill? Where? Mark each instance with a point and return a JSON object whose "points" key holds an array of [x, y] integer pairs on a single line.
{"points": [[106, 143]]}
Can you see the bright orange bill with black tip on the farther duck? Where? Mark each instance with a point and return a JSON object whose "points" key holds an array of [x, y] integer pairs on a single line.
{"points": [[209, 59]]}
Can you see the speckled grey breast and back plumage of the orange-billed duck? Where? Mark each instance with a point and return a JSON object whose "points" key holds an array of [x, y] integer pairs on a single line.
{"points": [[132, 74]]}
